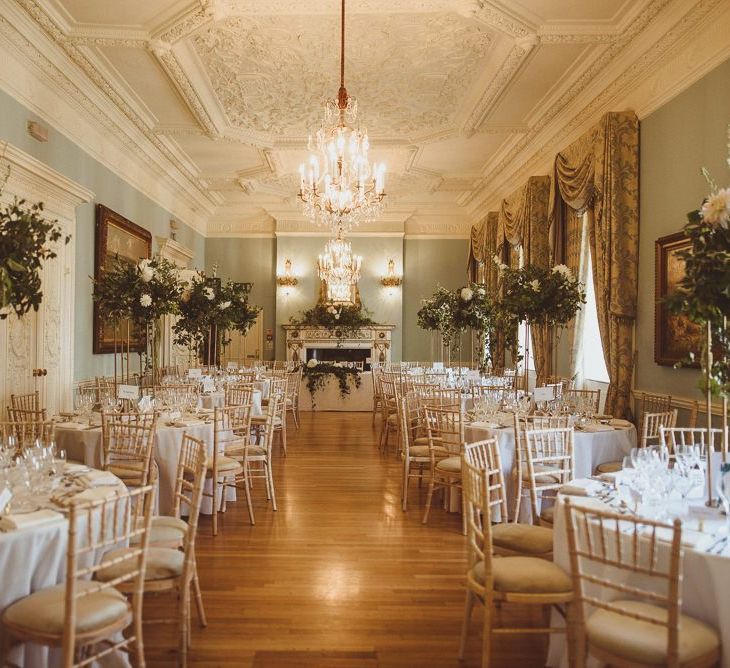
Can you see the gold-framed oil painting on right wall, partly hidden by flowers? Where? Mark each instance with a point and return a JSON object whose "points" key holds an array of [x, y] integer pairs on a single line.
{"points": [[675, 336]]}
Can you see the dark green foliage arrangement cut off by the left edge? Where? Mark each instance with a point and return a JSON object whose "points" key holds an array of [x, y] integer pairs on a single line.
{"points": [[26, 241]]}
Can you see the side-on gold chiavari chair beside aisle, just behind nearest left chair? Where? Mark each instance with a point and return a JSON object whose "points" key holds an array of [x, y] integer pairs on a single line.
{"points": [[171, 570]]}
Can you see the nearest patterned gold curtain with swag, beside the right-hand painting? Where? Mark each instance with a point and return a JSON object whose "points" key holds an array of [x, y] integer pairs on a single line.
{"points": [[600, 172]]}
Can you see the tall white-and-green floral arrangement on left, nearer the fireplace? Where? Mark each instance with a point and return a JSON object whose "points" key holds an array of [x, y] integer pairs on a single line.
{"points": [[206, 303]]}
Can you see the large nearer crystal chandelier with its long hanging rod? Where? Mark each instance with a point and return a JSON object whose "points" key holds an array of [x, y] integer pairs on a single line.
{"points": [[339, 187]]}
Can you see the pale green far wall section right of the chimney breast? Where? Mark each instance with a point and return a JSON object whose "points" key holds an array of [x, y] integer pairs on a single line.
{"points": [[427, 264]]}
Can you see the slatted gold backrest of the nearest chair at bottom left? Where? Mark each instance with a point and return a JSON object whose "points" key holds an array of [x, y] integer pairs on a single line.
{"points": [[95, 528]]}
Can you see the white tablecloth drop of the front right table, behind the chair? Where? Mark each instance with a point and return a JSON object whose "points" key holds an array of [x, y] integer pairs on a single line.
{"points": [[705, 591]]}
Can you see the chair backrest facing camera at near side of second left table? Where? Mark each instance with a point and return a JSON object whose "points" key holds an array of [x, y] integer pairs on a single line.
{"points": [[127, 440]]}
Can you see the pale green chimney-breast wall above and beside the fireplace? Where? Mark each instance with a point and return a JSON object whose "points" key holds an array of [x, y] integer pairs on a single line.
{"points": [[375, 251]]}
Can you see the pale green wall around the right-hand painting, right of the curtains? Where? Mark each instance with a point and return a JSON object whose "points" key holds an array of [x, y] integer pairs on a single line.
{"points": [[689, 132]]}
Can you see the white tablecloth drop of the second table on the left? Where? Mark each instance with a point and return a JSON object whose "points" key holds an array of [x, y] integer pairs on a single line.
{"points": [[83, 444]]}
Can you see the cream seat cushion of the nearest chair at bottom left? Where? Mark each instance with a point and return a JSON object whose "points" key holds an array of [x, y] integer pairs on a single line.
{"points": [[44, 610]]}
